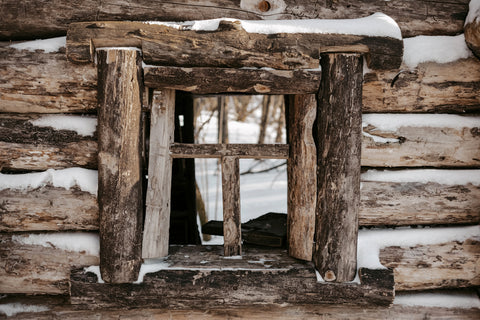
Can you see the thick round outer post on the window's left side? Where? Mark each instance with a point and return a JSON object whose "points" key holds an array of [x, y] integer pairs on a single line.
{"points": [[119, 164]]}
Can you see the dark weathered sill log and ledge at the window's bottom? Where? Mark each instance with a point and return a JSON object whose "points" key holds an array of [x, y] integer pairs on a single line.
{"points": [[198, 276]]}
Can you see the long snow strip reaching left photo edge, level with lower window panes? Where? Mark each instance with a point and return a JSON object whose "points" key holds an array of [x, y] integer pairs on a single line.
{"points": [[85, 179]]}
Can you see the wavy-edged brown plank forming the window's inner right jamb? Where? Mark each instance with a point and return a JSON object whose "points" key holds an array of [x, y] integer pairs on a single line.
{"points": [[302, 176]]}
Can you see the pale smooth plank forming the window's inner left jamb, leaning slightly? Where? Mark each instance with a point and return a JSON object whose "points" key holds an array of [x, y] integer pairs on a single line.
{"points": [[157, 217]]}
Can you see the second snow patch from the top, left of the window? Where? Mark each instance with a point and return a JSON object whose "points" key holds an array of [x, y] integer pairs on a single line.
{"points": [[83, 125]]}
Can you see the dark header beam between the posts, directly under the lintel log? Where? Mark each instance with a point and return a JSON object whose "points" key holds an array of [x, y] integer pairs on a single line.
{"points": [[226, 80]]}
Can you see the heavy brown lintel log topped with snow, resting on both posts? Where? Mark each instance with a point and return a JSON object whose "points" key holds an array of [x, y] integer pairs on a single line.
{"points": [[228, 46]]}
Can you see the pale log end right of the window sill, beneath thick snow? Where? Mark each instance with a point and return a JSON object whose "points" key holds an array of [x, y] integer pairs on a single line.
{"points": [[449, 265]]}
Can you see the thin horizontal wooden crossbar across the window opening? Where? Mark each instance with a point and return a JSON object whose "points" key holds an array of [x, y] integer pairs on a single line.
{"points": [[268, 151]]}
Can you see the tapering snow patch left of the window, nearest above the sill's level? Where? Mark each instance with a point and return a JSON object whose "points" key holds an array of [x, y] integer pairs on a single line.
{"points": [[70, 241]]}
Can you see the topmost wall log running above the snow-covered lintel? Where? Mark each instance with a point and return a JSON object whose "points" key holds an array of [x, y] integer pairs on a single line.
{"points": [[29, 19]]}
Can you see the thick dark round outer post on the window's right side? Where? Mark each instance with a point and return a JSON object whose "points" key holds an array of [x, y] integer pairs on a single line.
{"points": [[338, 156]]}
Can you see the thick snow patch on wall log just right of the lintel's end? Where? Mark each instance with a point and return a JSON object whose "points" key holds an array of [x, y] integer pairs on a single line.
{"points": [[440, 49]]}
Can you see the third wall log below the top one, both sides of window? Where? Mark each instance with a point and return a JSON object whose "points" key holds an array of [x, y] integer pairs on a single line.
{"points": [[382, 204]]}
